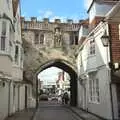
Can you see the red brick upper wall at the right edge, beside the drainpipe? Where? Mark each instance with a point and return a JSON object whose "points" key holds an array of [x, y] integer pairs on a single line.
{"points": [[115, 42]]}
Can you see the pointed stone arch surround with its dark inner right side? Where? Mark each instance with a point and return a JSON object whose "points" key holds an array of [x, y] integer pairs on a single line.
{"points": [[67, 67]]}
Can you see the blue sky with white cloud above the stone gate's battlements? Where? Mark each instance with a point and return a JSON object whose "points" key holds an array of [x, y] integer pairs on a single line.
{"points": [[63, 9]]}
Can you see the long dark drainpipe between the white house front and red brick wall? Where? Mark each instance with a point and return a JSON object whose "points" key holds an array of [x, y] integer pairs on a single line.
{"points": [[111, 73]]}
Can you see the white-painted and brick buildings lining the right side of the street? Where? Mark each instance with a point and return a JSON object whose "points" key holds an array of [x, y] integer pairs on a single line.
{"points": [[96, 89]]}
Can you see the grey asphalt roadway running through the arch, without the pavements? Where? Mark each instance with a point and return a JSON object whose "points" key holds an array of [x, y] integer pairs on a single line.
{"points": [[54, 111]]}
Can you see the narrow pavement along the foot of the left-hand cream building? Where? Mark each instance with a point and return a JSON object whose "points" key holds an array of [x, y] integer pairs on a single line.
{"points": [[26, 114]]}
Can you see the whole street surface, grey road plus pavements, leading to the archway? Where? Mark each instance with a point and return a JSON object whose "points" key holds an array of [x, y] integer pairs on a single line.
{"points": [[53, 111]]}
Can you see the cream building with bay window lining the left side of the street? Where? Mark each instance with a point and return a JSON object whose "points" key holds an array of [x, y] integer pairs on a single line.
{"points": [[12, 87]]}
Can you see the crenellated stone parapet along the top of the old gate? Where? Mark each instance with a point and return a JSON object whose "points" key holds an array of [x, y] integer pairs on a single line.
{"points": [[33, 23]]}
